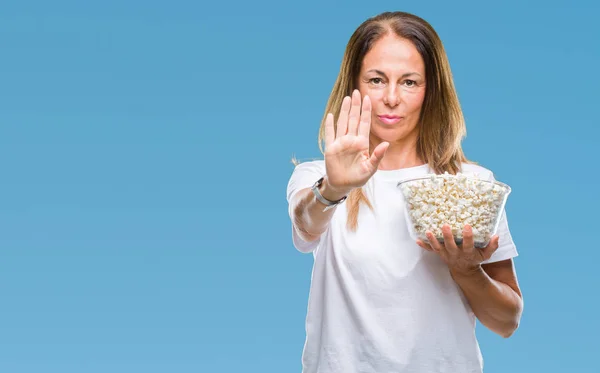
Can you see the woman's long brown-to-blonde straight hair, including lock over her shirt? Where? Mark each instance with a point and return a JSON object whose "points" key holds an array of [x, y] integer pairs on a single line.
{"points": [[441, 123]]}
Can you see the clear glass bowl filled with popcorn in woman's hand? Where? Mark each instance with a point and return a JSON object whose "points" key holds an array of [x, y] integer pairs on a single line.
{"points": [[455, 200]]}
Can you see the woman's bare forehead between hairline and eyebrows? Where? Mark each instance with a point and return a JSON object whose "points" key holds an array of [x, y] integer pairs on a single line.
{"points": [[393, 53]]}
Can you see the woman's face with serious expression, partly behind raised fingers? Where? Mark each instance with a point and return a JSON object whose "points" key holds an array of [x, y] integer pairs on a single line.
{"points": [[393, 76]]}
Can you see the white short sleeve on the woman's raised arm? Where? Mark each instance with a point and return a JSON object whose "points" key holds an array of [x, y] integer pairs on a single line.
{"points": [[304, 176]]}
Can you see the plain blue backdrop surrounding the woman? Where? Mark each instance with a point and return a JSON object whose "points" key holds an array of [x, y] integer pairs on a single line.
{"points": [[145, 150]]}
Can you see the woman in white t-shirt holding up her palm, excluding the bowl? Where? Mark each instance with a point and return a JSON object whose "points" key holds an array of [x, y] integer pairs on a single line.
{"points": [[380, 302]]}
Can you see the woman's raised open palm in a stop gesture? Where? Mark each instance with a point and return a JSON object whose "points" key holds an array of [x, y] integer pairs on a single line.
{"points": [[348, 161]]}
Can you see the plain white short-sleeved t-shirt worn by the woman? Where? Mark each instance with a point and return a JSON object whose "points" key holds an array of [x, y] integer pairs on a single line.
{"points": [[378, 302]]}
